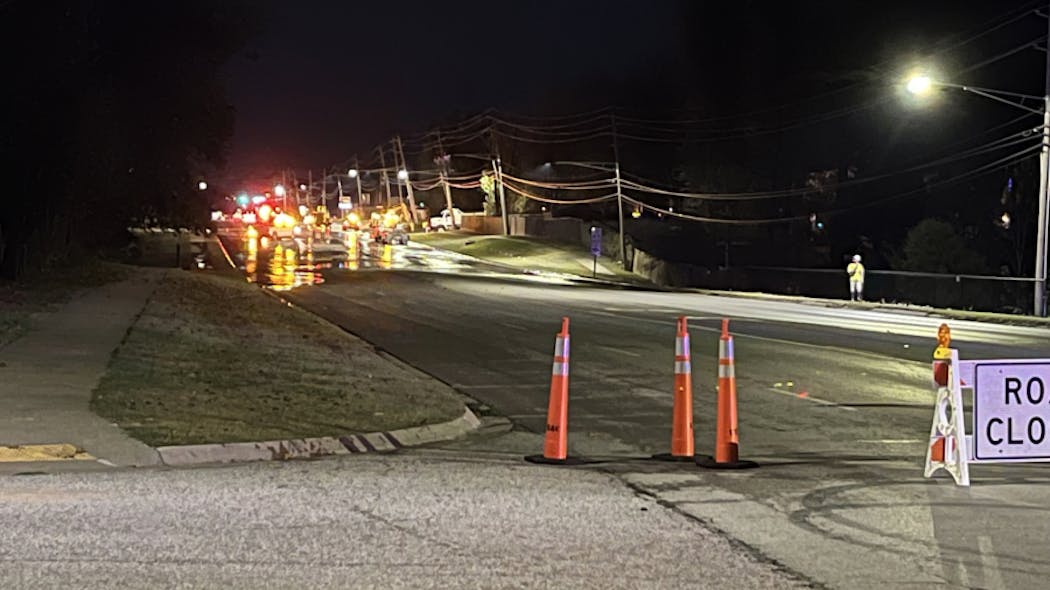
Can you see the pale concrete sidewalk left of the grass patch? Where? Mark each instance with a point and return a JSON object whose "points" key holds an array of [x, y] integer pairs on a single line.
{"points": [[48, 376]]}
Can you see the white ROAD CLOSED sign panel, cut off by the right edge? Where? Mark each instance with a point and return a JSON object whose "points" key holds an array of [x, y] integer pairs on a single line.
{"points": [[1012, 412]]}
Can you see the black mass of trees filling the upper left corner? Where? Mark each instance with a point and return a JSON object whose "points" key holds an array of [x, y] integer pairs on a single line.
{"points": [[111, 112]]}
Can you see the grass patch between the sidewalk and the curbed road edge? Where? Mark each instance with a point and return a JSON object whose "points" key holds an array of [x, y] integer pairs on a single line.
{"points": [[214, 360]]}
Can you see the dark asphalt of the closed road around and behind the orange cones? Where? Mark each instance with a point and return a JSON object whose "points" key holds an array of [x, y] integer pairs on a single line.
{"points": [[839, 498]]}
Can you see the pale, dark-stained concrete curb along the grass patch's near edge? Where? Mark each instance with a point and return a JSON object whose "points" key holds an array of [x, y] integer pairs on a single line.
{"points": [[307, 449]]}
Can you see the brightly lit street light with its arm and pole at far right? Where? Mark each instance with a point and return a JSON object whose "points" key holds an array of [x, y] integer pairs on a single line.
{"points": [[922, 85]]}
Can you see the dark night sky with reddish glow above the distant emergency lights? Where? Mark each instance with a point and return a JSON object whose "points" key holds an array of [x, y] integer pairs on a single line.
{"points": [[326, 79]]}
